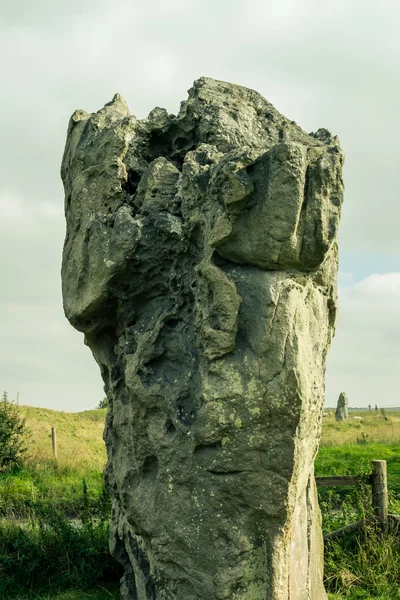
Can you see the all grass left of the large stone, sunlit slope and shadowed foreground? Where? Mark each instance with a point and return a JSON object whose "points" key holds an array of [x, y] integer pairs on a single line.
{"points": [[54, 514]]}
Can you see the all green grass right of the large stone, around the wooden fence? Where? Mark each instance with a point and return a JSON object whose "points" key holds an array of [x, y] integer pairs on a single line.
{"points": [[363, 566]]}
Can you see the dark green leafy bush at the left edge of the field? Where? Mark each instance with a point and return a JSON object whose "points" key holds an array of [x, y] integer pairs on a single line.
{"points": [[12, 435]]}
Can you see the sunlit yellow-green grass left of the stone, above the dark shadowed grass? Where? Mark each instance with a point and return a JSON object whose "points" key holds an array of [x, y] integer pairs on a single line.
{"points": [[44, 481]]}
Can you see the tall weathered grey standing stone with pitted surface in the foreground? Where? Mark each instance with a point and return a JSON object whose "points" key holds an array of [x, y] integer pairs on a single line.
{"points": [[200, 261]]}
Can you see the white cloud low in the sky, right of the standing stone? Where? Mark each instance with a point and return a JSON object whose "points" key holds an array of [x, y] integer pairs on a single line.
{"points": [[365, 356]]}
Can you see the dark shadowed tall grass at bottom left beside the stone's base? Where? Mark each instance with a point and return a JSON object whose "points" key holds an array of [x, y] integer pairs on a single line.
{"points": [[49, 552]]}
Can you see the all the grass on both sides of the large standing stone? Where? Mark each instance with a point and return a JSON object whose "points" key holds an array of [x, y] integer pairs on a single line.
{"points": [[356, 568]]}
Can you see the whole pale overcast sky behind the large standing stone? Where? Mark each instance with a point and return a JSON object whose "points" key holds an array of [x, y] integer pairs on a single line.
{"points": [[332, 64]]}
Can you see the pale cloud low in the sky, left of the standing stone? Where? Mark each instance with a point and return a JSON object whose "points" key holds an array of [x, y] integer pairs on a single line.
{"points": [[45, 360]]}
